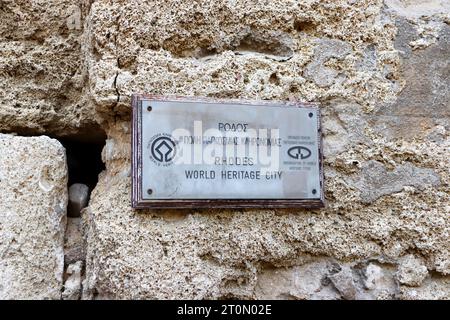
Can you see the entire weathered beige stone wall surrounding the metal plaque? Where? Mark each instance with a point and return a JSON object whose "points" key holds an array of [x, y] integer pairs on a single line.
{"points": [[380, 70]]}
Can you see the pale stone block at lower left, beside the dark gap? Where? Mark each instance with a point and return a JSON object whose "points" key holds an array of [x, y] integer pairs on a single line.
{"points": [[33, 202]]}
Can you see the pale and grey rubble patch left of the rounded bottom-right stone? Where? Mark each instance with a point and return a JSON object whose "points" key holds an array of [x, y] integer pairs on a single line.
{"points": [[325, 278]]}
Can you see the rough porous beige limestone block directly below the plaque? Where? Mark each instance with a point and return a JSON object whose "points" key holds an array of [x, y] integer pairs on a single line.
{"points": [[219, 253]]}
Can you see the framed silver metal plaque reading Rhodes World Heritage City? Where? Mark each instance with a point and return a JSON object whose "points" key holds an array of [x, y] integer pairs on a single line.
{"points": [[190, 153]]}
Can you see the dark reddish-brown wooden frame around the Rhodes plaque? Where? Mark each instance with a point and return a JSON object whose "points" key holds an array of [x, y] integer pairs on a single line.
{"points": [[137, 200]]}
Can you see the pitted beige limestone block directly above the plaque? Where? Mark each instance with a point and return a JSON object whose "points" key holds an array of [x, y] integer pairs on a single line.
{"points": [[239, 49]]}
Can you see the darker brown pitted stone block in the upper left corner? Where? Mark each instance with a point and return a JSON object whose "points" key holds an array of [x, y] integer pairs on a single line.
{"points": [[42, 72]]}
